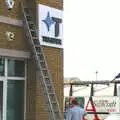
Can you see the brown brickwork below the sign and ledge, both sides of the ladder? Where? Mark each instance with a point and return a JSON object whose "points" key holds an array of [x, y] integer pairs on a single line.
{"points": [[35, 101]]}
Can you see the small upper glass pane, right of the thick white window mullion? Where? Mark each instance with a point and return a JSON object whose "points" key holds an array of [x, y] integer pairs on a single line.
{"points": [[16, 68]]}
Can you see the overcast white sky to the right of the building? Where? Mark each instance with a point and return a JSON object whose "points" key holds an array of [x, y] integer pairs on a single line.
{"points": [[91, 39]]}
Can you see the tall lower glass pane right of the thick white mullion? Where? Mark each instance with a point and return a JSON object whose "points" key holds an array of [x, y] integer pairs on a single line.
{"points": [[15, 100]]}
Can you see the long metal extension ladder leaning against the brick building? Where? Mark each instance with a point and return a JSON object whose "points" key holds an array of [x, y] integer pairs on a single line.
{"points": [[39, 58]]}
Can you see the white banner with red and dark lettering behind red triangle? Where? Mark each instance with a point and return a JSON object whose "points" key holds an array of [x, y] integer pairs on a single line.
{"points": [[104, 103]]}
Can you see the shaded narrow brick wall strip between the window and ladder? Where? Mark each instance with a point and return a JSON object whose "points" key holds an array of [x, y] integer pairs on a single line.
{"points": [[31, 88]]}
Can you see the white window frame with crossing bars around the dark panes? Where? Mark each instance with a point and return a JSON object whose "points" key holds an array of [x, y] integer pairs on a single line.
{"points": [[5, 78]]}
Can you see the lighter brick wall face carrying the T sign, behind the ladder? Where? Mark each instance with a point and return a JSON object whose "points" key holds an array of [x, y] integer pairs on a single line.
{"points": [[54, 59]]}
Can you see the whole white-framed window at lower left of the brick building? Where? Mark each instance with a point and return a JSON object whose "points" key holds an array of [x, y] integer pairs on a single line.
{"points": [[12, 82]]}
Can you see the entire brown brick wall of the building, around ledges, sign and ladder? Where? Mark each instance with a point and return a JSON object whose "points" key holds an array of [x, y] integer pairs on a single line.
{"points": [[35, 108]]}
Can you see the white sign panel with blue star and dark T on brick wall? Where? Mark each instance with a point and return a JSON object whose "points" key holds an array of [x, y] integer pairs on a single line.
{"points": [[50, 26]]}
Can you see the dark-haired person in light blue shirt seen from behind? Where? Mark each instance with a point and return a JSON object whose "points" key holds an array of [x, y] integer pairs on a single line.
{"points": [[75, 113]]}
